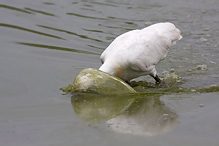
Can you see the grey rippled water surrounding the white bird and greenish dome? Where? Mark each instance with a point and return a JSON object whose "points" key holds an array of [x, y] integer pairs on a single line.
{"points": [[45, 44]]}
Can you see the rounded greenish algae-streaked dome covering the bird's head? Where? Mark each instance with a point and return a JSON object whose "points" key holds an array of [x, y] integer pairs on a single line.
{"points": [[91, 80]]}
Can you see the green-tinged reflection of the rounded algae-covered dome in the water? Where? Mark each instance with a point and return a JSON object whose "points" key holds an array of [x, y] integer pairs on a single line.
{"points": [[94, 108]]}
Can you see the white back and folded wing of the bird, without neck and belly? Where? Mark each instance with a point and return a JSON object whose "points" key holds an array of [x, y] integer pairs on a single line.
{"points": [[140, 49]]}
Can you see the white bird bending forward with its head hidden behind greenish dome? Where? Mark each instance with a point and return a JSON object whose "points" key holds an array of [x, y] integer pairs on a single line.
{"points": [[135, 53]]}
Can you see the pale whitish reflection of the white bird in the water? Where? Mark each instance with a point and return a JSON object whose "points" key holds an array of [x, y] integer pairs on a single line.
{"points": [[146, 116]]}
